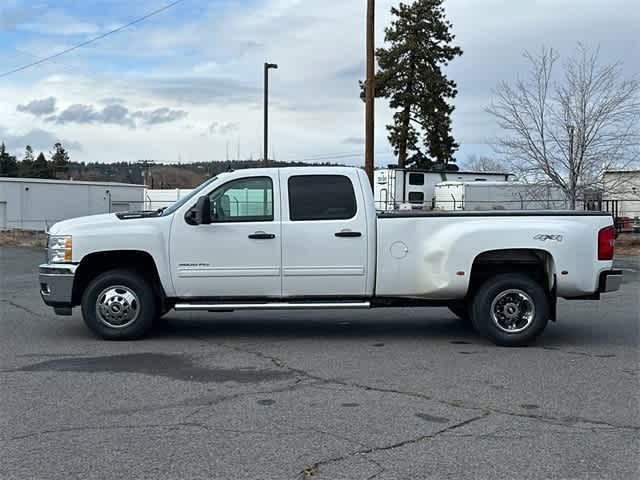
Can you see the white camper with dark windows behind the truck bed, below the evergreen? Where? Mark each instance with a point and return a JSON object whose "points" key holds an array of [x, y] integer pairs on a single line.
{"points": [[394, 186]]}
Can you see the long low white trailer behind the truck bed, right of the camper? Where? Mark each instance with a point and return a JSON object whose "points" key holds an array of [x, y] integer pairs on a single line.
{"points": [[497, 196]]}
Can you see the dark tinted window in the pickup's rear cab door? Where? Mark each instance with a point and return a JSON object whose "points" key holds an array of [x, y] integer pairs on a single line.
{"points": [[321, 197]]}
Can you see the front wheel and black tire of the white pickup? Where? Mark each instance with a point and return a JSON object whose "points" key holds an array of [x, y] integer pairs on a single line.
{"points": [[130, 294]]}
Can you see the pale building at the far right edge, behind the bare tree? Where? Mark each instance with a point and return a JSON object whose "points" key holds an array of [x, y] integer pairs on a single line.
{"points": [[623, 188]]}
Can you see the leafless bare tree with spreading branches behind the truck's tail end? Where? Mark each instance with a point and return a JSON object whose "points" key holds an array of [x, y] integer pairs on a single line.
{"points": [[568, 132]]}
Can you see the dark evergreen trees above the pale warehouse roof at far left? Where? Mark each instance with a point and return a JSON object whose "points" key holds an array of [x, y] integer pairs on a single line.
{"points": [[34, 167]]}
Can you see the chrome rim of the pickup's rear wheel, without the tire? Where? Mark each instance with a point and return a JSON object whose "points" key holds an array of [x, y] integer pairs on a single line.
{"points": [[512, 311]]}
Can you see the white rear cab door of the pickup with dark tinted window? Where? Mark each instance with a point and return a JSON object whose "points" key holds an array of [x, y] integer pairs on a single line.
{"points": [[324, 235]]}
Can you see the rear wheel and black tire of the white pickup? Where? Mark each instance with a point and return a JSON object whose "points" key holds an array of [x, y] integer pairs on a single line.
{"points": [[512, 292]]}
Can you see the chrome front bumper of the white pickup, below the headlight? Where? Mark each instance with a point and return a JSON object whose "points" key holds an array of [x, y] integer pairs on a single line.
{"points": [[56, 286]]}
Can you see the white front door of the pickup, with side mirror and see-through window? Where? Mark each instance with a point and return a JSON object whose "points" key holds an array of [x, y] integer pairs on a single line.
{"points": [[239, 253]]}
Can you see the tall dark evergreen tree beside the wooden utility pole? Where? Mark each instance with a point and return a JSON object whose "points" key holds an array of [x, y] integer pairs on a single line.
{"points": [[411, 77]]}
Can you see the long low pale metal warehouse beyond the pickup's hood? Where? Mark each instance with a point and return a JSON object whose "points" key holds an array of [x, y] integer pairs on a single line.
{"points": [[34, 204]]}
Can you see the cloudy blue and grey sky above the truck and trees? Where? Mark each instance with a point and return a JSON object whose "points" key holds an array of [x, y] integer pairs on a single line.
{"points": [[186, 84]]}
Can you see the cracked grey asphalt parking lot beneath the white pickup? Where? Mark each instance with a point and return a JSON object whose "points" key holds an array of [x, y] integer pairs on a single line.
{"points": [[385, 394]]}
